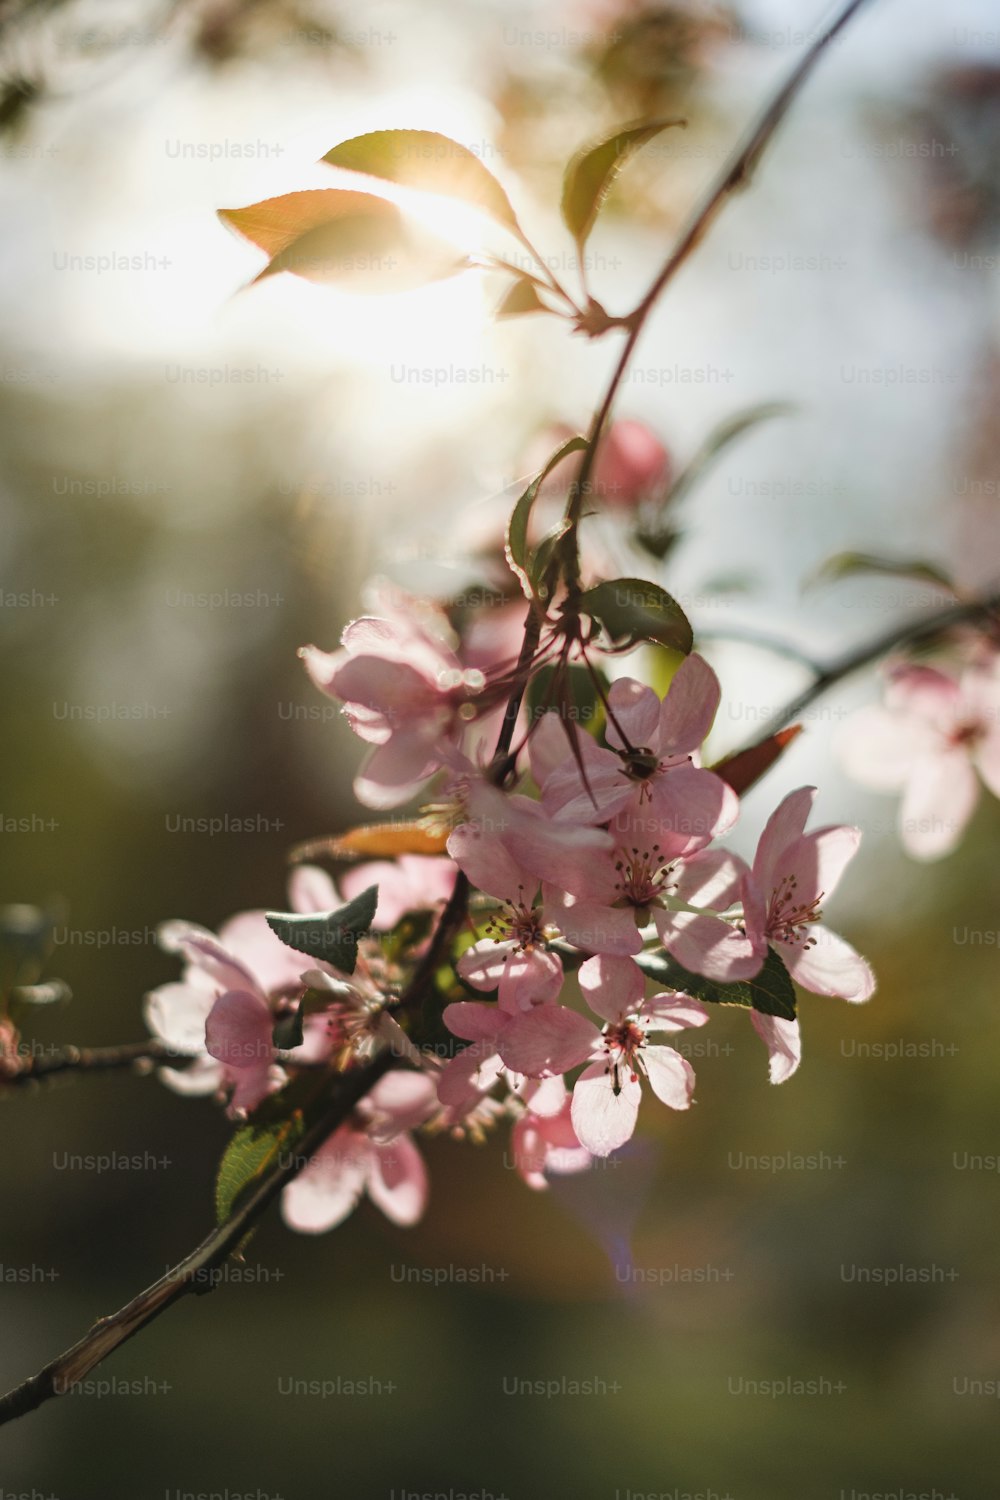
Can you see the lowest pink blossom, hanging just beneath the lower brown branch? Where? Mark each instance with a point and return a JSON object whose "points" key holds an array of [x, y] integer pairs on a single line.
{"points": [[371, 1154]]}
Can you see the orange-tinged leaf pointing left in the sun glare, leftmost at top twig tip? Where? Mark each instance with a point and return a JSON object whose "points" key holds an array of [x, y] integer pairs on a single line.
{"points": [[349, 239]]}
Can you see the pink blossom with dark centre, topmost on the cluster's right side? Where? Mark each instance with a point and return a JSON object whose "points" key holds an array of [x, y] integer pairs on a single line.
{"points": [[648, 772]]}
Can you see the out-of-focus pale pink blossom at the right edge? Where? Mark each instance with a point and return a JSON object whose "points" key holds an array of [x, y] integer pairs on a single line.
{"points": [[930, 739]]}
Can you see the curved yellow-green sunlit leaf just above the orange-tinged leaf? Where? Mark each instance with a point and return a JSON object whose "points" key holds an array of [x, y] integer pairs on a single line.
{"points": [[427, 161]]}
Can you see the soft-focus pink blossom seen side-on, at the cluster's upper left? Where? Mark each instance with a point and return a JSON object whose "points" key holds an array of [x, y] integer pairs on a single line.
{"points": [[403, 688]]}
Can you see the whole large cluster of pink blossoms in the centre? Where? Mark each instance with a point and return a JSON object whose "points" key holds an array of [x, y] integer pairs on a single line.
{"points": [[594, 913]]}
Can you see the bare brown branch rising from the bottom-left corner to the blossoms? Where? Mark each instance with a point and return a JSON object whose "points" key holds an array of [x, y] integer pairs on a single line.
{"points": [[194, 1273]]}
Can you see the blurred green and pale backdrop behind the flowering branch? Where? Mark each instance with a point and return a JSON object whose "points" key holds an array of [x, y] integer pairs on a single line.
{"points": [[166, 437]]}
